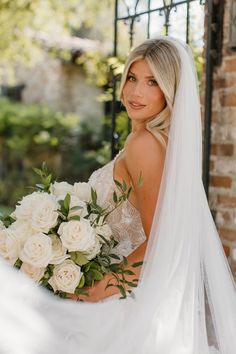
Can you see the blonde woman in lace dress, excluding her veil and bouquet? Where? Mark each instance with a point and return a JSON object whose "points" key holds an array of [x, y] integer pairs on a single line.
{"points": [[149, 106]]}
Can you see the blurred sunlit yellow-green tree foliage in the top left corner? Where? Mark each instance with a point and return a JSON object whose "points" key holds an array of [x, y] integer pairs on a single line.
{"points": [[21, 20]]}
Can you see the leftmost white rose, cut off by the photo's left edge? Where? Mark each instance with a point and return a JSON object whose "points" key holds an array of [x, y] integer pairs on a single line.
{"points": [[9, 246]]}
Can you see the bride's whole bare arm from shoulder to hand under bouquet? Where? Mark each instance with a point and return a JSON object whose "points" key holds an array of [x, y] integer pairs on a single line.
{"points": [[144, 156]]}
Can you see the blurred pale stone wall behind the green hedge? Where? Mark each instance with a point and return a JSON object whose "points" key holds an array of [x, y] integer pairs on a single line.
{"points": [[61, 86]]}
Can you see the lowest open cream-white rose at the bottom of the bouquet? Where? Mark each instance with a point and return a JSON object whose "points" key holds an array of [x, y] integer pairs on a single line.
{"points": [[66, 277]]}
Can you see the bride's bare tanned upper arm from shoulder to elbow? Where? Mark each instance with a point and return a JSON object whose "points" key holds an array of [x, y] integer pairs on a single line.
{"points": [[145, 156]]}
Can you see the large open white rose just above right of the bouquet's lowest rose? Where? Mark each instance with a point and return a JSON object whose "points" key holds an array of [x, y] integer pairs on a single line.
{"points": [[77, 235]]}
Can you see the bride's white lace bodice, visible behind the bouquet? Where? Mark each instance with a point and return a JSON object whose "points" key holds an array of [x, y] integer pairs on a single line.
{"points": [[125, 221]]}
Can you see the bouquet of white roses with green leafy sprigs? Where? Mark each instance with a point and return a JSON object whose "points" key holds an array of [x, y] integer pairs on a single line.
{"points": [[58, 235]]}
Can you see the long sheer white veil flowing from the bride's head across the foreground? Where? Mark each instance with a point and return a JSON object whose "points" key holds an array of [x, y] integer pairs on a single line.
{"points": [[186, 300]]}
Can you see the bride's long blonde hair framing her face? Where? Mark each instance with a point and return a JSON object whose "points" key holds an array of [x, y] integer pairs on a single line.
{"points": [[164, 61]]}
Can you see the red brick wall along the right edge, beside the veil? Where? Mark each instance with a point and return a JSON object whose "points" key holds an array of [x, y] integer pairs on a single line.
{"points": [[222, 192]]}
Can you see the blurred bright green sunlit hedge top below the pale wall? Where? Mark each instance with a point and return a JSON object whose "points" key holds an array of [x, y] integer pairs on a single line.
{"points": [[24, 127]]}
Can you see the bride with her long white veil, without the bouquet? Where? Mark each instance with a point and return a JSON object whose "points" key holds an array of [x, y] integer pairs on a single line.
{"points": [[185, 301]]}
